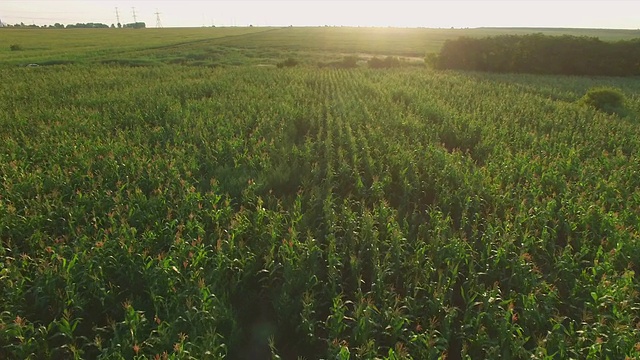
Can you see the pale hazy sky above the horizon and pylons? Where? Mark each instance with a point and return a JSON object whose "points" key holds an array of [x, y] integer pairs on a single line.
{"points": [[520, 13]]}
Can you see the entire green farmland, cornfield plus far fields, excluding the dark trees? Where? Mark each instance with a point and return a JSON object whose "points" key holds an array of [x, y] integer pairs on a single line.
{"points": [[164, 197]]}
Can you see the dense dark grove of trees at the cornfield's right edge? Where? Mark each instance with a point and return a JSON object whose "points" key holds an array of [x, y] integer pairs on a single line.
{"points": [[540, 54]]}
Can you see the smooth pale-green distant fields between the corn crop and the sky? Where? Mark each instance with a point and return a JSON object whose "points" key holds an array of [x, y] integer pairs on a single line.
{"points": [[236, 46]]}
